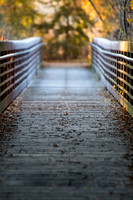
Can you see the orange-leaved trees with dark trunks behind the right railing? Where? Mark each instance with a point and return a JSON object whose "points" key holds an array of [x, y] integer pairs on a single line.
{"points": [[123, 30]]}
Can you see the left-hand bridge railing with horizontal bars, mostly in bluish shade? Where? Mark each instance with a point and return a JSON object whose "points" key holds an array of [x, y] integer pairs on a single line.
{"points": [[19, 61]]}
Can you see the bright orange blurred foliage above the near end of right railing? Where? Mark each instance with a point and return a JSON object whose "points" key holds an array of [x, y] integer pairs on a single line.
{"points": [[108, 13]]}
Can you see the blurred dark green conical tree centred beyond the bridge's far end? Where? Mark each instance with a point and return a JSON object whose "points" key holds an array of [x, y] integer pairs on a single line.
{"points": [[68, 26]]}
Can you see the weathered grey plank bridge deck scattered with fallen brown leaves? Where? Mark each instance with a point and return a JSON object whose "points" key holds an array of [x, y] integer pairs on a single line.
{"points": [[66, 138]]}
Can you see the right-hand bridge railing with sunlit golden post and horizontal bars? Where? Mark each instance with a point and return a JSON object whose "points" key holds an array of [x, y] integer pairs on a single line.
{"points": [[113, 60]]}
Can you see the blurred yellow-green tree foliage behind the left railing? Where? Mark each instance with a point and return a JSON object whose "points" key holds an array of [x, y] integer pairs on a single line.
{"points": [[17, 18]]}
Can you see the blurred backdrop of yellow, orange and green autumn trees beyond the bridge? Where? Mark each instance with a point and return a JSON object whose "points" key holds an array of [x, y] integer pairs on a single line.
{"points": [[66, 26]]}
